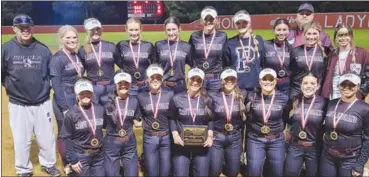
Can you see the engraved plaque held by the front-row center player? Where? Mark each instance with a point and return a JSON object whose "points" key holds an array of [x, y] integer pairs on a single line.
{"points": [[194, 135]]}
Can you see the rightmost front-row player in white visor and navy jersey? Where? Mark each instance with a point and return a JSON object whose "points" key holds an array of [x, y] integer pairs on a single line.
{"points": [[346, 138]]}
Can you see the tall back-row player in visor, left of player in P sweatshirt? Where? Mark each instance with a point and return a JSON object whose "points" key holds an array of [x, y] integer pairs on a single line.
{"points": [[206, 49]]}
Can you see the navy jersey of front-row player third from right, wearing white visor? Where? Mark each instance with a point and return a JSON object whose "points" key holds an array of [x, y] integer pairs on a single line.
{"points": [[278, 113]]}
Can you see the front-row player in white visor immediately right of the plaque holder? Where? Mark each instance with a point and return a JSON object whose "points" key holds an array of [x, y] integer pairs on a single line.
{"points": [[228, 110]]}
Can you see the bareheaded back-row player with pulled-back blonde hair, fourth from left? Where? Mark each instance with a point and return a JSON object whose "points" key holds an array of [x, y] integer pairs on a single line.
{"points": [[135, 56]]}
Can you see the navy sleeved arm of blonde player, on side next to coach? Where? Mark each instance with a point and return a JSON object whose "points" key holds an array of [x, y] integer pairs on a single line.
{"points": [[55, 74]]}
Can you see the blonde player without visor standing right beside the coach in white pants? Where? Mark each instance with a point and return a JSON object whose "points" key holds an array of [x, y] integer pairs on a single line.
{"points": [[65, 68]]}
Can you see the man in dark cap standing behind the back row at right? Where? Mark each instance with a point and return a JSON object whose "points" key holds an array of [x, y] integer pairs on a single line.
{"points": [[305, 14]]}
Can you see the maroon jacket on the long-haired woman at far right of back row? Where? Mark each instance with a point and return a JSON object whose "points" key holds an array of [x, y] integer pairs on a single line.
{"points": [[362, 59]]}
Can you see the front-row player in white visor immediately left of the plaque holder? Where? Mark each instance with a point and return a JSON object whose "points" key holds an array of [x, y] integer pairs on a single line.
{"points": [[154, 110]]}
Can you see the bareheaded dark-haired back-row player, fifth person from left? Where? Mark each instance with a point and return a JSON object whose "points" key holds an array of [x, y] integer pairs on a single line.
{"points": [[173, 54]]}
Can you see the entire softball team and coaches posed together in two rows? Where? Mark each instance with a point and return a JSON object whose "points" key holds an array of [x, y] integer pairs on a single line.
{"points": [[247, 106]]}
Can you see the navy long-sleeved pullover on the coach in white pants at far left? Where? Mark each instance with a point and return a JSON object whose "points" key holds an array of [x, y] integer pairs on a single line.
{"points": [[25, 72]]}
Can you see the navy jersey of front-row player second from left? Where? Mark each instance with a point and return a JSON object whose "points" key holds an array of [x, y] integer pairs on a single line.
{"points": [[113, 123]]}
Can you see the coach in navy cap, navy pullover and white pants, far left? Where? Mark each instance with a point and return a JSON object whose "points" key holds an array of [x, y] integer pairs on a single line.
{"points": [[25, 76]]}
